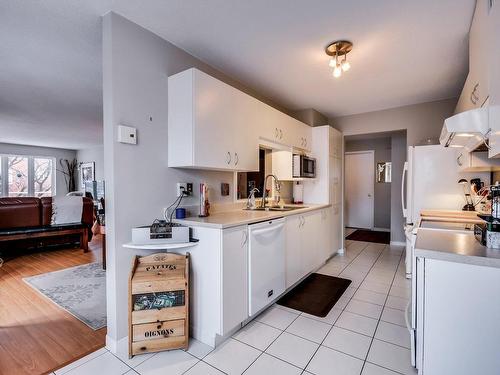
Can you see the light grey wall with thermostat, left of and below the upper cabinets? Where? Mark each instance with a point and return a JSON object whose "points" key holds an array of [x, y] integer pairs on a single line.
{"points": [[136, 65]]}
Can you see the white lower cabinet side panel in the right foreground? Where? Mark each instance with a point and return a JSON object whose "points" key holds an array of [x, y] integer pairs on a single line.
{"points": [[457, 324]]}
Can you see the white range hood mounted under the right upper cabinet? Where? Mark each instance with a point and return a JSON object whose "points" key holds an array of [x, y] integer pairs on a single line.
{"points": [[467, 129]]}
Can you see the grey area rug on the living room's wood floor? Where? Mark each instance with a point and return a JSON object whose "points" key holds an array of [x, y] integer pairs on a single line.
{"points": [[80, 290]]}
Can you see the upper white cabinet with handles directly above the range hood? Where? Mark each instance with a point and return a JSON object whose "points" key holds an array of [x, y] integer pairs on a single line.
{"points": [[476, 88]]}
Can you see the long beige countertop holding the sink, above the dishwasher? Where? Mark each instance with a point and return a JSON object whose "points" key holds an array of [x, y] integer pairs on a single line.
{"points": [[240, 216]]}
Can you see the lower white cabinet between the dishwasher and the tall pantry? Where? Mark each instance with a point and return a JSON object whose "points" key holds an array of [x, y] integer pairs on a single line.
{"points": [[307, 239]]}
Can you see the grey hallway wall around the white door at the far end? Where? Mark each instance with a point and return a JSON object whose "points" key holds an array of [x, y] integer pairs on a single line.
{"points": [[382, 191]]}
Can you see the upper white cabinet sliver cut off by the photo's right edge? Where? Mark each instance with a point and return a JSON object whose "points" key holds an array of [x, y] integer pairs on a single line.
{"points": [[494, 79]]}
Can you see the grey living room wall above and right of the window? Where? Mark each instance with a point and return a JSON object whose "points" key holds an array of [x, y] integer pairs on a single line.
{"points": [[58, 153]]}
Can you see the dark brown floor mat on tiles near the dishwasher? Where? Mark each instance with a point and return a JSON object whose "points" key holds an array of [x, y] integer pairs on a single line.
{"points": [[316, 294]]}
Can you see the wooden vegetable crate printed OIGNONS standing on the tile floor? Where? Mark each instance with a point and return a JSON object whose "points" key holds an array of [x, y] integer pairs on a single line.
{"points": [[161, 328]]}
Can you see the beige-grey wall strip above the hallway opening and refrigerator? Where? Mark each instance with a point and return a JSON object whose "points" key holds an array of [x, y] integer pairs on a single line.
{"points": [[421, 121]]}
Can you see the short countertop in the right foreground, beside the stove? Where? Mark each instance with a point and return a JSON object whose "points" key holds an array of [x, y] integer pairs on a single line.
{"points": [[455, 247]]}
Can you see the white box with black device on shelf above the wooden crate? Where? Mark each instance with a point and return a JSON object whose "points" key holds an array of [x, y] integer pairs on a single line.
{"points": [[161, 231]]}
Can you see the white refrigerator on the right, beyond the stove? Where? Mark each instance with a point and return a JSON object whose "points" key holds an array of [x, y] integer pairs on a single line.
{"points": [[430, 181]]}
